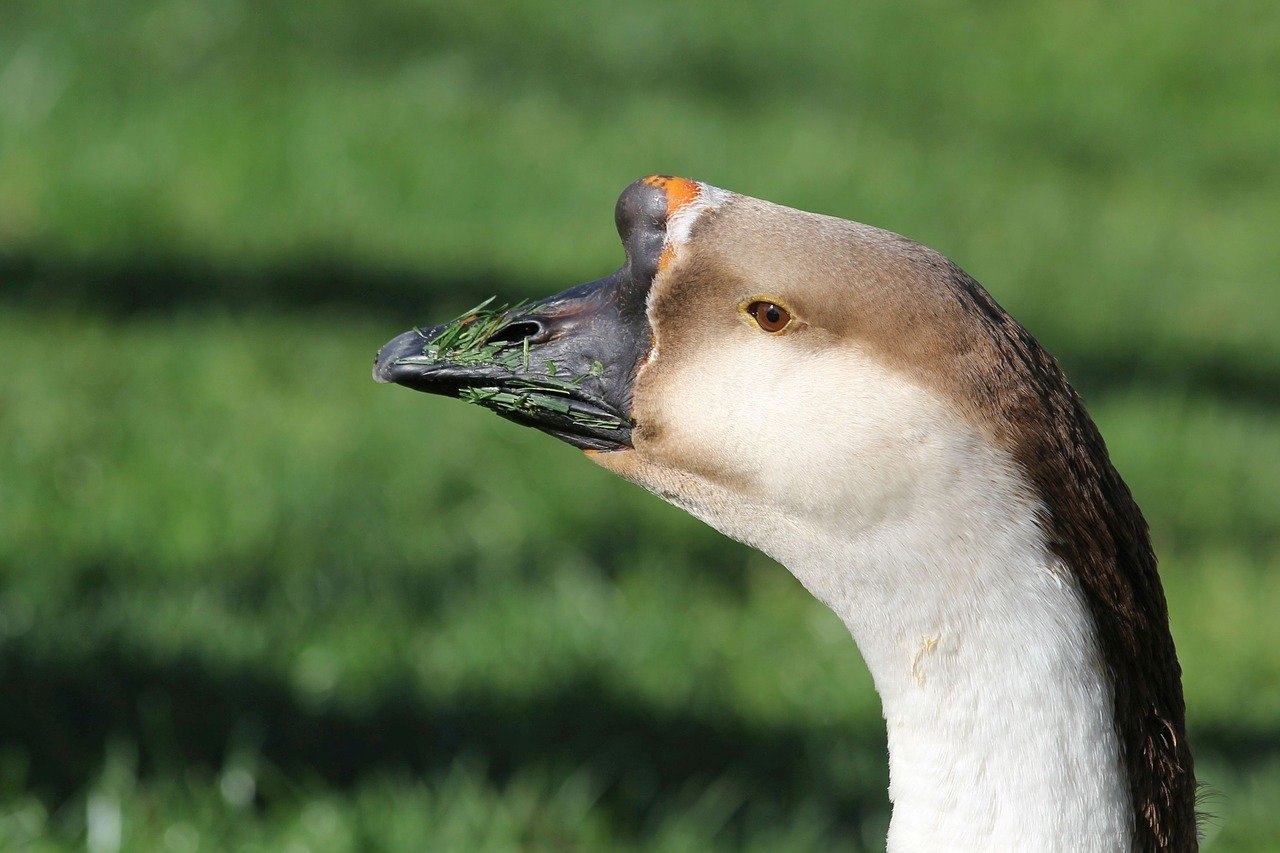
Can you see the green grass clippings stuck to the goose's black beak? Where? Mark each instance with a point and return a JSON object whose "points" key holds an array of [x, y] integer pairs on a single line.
{"points": [[467, 341]]}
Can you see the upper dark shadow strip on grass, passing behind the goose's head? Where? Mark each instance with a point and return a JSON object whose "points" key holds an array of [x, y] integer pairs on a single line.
{"points": [[404, 298]]}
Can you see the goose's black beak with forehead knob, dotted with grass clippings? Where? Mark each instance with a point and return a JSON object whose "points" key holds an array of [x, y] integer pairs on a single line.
{"points": [[565, 366]]}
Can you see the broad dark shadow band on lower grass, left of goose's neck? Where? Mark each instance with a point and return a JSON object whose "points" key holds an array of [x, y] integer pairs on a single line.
{"points": [[182, 714]]}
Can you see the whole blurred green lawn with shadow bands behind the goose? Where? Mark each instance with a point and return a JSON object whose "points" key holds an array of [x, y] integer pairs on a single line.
{"points": [[252, 601]]}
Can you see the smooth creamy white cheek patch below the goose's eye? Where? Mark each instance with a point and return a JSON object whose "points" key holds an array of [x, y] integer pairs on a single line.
{"points": [[778, 416]]}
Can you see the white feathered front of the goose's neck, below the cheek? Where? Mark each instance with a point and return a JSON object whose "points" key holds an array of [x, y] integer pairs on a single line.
{"points": [[996, 701]]}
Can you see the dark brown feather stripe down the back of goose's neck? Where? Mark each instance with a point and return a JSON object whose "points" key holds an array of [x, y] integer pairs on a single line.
{"points": [[1095, 526]]}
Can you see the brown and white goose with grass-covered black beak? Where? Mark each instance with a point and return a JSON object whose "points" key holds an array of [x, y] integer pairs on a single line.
{"points": [[856, 407]]}
